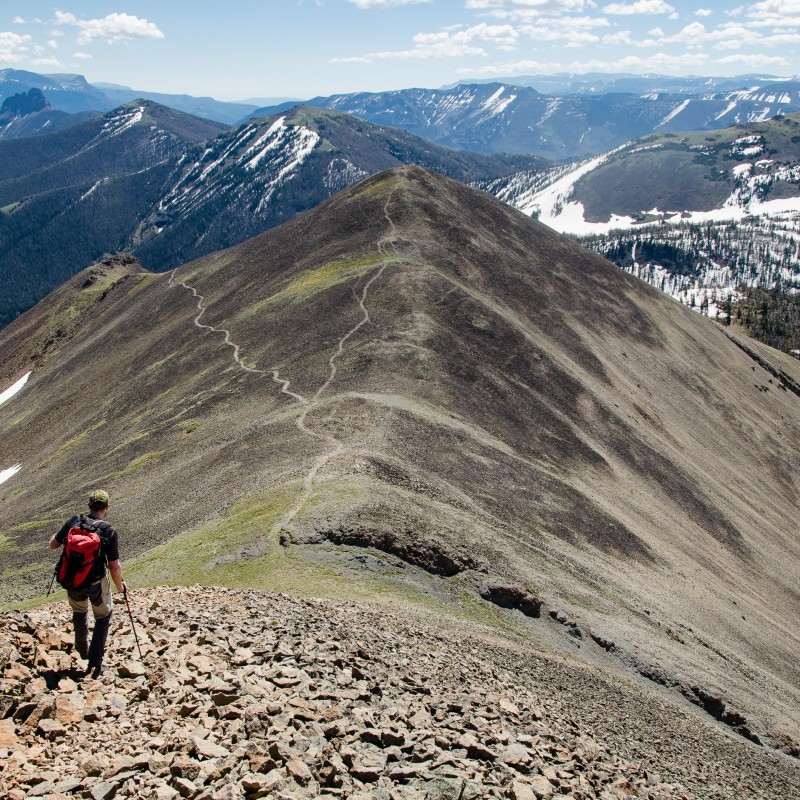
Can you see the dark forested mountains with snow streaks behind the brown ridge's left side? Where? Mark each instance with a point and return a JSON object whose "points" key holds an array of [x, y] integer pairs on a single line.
{"points": [[172, 187]]}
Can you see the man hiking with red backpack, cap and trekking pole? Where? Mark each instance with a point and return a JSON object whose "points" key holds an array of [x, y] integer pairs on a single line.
{"points": [[88, 581]]}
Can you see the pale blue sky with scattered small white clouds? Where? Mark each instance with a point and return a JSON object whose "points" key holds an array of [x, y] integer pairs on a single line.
{"points": [[301, 48]]}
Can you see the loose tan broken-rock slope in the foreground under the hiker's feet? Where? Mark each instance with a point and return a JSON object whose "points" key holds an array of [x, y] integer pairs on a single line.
{"points": [[247, 695]]}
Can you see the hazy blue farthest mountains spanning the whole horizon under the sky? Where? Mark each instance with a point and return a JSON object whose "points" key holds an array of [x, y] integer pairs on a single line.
{"points": [[559, 117]]}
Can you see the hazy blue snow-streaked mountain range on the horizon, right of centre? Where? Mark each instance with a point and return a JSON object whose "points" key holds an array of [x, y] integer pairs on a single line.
{"points": [[495, 117]]}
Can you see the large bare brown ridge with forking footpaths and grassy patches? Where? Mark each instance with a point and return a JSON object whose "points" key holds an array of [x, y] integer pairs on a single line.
{"points": [[414, 394]]}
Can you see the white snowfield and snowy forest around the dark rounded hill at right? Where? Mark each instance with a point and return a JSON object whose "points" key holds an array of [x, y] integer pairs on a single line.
{"points": [[749, 240]]}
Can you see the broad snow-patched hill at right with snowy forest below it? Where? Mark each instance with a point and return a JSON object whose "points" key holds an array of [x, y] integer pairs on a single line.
{"points": [[697, 214]]}
